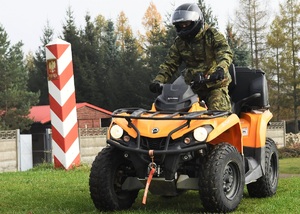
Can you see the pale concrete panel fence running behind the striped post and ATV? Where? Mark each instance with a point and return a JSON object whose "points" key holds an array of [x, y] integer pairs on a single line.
{"points": [[91, 142]]}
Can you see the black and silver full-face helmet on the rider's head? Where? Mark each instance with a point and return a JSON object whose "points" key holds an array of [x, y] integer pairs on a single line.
{"points": [[189, 12]]}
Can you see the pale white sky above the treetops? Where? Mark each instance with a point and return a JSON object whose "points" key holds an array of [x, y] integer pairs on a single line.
{"points": [[24, 20]]}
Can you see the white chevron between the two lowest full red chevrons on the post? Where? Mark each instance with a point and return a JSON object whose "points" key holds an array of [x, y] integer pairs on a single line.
{"points": [[64, 127]]}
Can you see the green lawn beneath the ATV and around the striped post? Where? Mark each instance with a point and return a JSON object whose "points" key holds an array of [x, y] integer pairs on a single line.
{"points": [[48, 190]]}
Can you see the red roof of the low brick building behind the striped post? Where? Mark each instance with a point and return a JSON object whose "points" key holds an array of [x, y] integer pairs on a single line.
{"points": [[41, 114]]}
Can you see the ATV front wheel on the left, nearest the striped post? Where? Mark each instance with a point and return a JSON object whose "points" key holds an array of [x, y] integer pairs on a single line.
{"points": [[108, 173]]}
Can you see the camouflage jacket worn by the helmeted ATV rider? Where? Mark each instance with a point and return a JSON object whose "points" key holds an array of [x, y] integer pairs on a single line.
{"points": [[207, 51]]}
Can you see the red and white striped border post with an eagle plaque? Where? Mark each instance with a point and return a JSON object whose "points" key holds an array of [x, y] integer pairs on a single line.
{"points": [[65, 143]]}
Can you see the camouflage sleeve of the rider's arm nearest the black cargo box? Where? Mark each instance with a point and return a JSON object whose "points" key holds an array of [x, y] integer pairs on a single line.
{"points": [[222, 50]]}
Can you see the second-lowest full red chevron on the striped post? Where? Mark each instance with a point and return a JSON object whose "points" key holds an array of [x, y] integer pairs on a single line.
{"points": [[62, 111]]}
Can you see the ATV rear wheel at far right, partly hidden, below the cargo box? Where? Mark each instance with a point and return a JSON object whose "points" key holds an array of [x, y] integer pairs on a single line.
{"points": [[266, 185]]}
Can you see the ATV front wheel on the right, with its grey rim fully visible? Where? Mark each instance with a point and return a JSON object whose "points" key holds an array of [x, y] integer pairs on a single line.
{"points": [[222, 179]]}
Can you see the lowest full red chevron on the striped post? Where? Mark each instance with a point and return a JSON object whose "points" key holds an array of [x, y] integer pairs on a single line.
{"points": [[65, 143]]}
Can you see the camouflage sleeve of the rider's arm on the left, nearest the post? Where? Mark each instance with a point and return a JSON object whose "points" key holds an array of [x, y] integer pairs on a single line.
{"points": [[170, 65]]}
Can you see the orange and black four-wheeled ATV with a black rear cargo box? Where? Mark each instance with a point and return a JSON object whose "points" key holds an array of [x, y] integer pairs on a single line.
{"points": [[180, 145]]}
